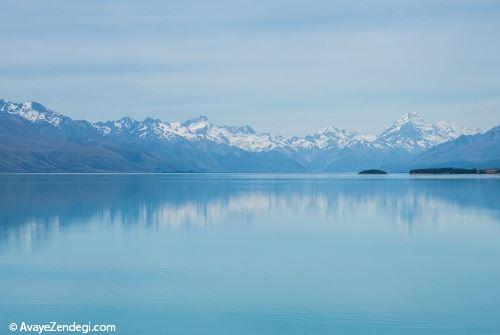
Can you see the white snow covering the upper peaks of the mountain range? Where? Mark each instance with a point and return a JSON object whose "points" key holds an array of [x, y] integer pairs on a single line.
{"points": [[409, 132]]}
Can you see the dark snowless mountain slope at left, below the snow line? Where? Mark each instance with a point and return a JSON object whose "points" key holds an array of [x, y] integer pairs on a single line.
{"points": [[24, 148]]}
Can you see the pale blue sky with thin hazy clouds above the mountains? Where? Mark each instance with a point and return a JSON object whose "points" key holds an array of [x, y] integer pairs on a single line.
{"points": [[287, 67]]}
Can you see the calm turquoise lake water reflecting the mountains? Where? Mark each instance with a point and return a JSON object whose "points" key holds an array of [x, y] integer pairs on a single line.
{"points": [[252, 254]]}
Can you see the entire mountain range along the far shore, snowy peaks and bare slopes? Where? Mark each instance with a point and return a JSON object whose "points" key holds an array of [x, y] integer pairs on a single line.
{"points": [[34, 138]]}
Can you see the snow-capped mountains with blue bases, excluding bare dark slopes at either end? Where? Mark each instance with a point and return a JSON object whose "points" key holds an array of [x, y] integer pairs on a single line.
{"points": [[199, 145]]}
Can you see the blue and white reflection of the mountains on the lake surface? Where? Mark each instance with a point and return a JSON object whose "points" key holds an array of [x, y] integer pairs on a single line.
{"points": [[34, 207]]}
